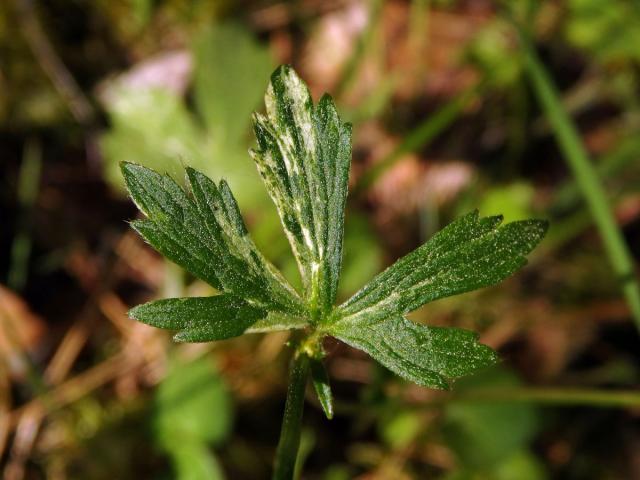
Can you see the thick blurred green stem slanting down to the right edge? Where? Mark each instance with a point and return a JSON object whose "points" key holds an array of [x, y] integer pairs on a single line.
{"points": [[586, 177]]}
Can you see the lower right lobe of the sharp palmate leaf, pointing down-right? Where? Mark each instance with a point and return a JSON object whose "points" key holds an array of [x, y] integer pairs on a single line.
{"points": [[427, 356]]}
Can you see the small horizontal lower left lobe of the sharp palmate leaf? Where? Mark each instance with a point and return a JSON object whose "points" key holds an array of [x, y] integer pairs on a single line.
{"points": [[200, 319]]}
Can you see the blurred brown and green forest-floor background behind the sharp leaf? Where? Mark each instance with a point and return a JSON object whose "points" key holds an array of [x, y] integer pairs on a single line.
{"points": [[445, 121]]}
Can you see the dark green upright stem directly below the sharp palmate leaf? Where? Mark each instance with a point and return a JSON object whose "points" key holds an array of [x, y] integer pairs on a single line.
{"points": [[287, 452]]}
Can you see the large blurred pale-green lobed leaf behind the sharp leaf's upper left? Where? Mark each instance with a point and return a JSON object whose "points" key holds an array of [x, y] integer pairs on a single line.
{"points": [[155, 128]]}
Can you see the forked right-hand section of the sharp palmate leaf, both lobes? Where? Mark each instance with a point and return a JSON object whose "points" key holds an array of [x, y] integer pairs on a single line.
{"points": [[470, 253]]}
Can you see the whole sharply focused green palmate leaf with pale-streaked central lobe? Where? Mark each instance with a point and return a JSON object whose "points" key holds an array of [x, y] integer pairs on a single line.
{"points": [[303, 155]]}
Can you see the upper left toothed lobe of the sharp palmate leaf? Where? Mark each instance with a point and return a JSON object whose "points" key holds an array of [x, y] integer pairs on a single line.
{"points": [[206, 236]]}
